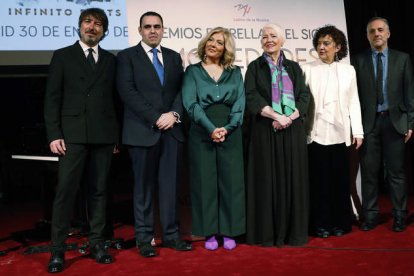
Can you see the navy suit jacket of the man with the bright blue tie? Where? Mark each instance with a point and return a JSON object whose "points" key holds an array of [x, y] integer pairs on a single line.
{"points": [[144, 98]]}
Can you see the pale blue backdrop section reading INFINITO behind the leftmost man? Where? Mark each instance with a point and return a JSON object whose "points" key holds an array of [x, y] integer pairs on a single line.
{"points": [[51, 24]]}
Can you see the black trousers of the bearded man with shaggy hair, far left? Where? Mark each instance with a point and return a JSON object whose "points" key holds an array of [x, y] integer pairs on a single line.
{"points": [[79, 158]]}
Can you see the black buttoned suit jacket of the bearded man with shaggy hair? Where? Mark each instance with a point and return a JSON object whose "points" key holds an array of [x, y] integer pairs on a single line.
{"points": [[79, 101]]}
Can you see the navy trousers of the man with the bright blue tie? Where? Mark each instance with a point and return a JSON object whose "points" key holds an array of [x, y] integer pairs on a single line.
{"points": [[156, 165]]}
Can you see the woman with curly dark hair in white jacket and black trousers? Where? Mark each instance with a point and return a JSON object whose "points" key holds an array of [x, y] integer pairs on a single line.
{"points": [[334, 124]]}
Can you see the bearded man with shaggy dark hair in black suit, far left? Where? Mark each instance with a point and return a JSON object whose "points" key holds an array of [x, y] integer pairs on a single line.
{"points": [[82, 129]]}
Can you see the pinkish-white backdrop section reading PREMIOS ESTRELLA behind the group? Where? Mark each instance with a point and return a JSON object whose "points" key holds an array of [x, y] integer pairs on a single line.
{"points": [[187, 21]]}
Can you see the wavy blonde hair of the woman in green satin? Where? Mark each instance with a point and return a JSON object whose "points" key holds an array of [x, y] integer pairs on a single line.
{"points": [[229, 54]]}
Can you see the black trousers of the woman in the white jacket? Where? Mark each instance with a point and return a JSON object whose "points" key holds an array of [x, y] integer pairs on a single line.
{"points": [[330, 196]]}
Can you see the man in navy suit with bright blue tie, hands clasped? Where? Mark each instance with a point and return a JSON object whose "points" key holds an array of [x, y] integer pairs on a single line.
{"points": [[149, 81]]}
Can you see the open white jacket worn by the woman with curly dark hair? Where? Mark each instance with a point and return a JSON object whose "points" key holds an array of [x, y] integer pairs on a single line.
{"points": [[348, 98]]}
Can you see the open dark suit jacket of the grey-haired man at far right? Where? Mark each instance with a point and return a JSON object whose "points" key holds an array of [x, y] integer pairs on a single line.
{"points": [[400, 88]]}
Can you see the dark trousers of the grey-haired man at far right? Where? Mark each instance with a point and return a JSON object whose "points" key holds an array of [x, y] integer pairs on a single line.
{"points": [[383, 143]]}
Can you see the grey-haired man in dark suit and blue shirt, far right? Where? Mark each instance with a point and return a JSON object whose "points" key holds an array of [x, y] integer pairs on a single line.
{"points": [[386, 93]]}
